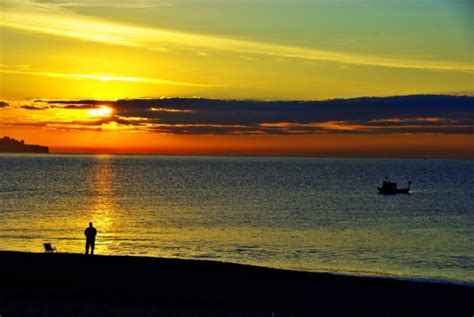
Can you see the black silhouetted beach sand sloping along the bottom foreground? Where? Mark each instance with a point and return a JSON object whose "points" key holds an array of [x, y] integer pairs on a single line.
{"points": [[76, 285]]}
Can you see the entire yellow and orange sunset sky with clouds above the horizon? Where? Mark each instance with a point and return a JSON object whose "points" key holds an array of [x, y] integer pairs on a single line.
{"points": [[94, 76]]}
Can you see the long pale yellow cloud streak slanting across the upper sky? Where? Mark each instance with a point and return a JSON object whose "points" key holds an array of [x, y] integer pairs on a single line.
{"points": [[52, 19]]}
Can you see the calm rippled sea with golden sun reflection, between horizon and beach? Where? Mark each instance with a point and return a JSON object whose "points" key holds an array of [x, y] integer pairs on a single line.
{"points": [[298, 213]]}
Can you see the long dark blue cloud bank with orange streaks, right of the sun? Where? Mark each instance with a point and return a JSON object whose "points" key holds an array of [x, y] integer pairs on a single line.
{"points": [[403, 114]]}
